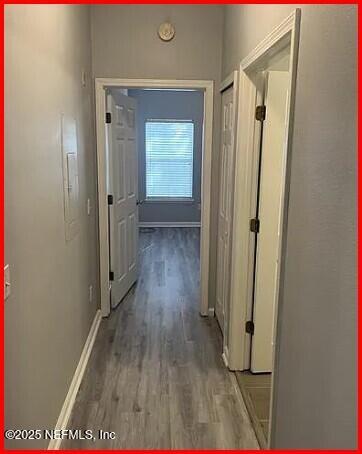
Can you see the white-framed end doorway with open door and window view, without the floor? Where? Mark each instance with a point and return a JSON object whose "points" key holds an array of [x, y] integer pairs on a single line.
{"points": [[154, 171]]}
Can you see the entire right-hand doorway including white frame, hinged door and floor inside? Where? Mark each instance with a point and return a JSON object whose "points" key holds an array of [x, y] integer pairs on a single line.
{"points": [[265, 120]]}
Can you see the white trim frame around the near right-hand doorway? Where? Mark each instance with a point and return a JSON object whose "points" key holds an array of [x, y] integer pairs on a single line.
{"points": [[248, 138]]}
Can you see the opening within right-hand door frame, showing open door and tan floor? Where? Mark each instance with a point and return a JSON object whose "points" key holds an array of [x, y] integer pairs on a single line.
{"points": [[256, 383]]}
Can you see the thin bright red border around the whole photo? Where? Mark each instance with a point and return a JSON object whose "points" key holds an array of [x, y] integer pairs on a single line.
{"points": [[359, 207]]}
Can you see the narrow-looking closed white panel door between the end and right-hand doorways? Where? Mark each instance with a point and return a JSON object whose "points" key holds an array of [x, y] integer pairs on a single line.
{"points": [[225, 206]]}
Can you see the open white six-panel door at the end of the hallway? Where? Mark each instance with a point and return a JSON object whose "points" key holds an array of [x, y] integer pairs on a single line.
{"points": [[123, 188]]}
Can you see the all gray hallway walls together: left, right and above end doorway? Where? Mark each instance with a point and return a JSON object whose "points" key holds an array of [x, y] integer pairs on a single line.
{"points": [[48, 315]]}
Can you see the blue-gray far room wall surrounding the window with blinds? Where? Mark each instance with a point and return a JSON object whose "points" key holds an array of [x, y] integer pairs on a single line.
{"points": [[177, 105]]}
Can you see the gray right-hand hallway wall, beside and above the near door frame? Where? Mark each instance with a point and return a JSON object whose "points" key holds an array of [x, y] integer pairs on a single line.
{"points": [[316, 370]]}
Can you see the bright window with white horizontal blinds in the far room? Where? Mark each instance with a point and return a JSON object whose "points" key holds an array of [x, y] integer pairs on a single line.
{"points": [[169, 158]]}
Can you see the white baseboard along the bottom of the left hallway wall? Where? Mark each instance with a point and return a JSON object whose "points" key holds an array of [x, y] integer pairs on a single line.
{"points": [[76, 381]]}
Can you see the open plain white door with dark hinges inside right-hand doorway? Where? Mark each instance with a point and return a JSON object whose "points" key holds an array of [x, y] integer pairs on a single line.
{"points": [[270, 199]]}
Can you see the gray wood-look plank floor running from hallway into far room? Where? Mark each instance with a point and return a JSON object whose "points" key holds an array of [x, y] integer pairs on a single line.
{"points": [[156, 376]]}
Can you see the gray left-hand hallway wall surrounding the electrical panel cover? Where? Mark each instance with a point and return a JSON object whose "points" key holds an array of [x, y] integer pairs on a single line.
{"points": [[48, 315]]}
